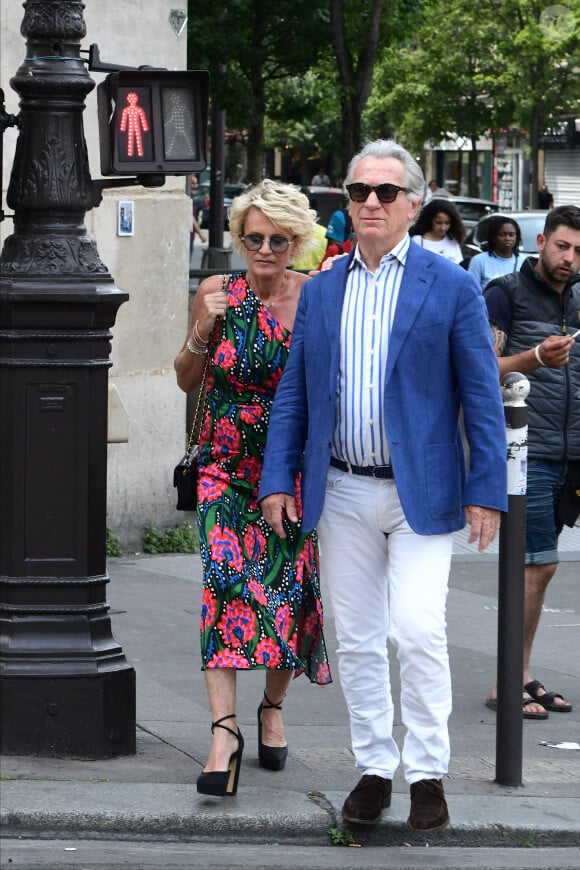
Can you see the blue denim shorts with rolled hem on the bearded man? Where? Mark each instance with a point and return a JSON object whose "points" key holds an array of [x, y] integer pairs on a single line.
{"points": [[545, 483]]}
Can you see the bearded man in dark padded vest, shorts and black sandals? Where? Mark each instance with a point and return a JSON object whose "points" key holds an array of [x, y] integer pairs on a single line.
{"points": [[535, 318]]}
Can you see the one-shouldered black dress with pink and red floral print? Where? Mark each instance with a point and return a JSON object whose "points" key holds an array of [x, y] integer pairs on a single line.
{"points": [[261, 604]]}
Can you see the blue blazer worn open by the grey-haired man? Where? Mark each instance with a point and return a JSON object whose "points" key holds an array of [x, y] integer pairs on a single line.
{"points": [[440, 358]]}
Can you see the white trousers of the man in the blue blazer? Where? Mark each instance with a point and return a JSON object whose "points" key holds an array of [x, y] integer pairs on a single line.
{"points": [[387, 582]]}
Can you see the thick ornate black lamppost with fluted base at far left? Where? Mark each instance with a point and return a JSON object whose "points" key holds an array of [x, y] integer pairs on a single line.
{"points": [[67, 689]]}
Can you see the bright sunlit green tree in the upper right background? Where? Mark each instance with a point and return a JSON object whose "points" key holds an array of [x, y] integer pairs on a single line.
{"points": [[471, 69]]}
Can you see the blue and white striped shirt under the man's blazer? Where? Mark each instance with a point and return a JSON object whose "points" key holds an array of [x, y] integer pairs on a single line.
{"points": [[367, 318]]}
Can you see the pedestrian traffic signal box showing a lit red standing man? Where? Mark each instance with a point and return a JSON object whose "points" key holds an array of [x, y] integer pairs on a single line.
{"points": [[153, 121]]}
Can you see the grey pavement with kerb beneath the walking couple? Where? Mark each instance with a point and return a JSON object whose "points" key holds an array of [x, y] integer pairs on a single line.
{"points": [[155, 604]]}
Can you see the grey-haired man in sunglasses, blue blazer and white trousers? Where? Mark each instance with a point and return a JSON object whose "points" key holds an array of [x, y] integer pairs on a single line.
{"points": [[386, 348]]}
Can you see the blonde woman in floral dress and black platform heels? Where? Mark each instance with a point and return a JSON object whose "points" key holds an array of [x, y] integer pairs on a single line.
{"points": [[261, 605]]}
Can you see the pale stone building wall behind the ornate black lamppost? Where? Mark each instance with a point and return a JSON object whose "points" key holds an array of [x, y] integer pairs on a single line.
{"points": [[148, 257]]}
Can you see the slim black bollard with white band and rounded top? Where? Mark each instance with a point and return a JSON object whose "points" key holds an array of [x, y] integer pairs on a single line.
{"points": [[512, 539]]}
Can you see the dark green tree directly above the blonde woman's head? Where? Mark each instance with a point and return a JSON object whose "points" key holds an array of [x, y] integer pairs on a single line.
{"points": [[248, 45]]}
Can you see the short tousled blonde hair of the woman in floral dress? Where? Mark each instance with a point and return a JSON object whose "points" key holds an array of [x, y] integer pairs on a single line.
{"points": [[281, 203]]}
